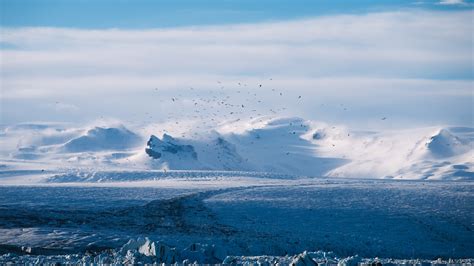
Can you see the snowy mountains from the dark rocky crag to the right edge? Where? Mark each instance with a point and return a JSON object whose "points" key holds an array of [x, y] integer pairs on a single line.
{"points": [[299, 147]]}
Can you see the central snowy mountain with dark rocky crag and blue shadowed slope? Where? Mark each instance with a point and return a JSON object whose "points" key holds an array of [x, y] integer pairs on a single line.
{"points": [[264, 145]]}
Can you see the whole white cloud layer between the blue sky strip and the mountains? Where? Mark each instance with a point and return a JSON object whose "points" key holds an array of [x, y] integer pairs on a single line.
{"points": [[393, 53]]}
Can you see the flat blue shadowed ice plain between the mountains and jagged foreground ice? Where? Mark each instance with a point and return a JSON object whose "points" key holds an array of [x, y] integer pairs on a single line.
{"points": [[244, 217]]}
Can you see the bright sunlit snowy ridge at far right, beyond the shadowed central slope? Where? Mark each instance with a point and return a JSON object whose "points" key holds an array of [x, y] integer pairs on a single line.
{"points": [[412, 154]]}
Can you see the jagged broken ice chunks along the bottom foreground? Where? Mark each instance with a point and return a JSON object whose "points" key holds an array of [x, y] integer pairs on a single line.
{"points": [[171, 256]]}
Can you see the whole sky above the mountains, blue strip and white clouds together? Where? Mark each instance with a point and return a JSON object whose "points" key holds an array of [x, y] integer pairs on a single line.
{"points": [[351, 61]]}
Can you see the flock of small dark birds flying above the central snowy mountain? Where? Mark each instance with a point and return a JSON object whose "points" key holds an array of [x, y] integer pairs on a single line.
{"points": [[211, 107]]}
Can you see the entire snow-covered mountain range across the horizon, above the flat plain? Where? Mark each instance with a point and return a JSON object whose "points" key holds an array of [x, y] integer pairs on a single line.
{"points": [[291, 146]]}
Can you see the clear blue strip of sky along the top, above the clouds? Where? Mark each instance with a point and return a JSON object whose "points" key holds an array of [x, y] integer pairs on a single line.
{"points": [[171, 13]]}
